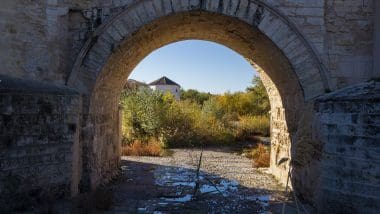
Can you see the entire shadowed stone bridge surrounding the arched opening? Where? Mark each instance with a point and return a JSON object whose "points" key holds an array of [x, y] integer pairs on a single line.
{"points": [[64, 63]]}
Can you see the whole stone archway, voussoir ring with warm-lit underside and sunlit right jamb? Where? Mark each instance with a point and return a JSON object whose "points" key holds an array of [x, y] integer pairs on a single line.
{"points": [[287, 64]]}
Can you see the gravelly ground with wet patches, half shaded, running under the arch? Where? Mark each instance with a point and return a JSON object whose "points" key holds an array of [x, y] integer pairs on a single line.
{"points": [[226, 183]]}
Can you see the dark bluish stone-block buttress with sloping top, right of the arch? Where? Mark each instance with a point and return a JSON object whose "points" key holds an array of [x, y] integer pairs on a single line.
{"points": [[348, 124]]}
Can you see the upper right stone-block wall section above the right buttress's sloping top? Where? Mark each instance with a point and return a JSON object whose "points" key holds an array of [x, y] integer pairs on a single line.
{"points": [[349, 41]]}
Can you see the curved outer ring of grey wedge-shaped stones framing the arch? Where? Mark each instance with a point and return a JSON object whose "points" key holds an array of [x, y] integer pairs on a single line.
{"points": [[306, 63]]}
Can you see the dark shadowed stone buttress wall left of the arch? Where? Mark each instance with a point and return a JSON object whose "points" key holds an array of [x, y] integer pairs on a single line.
{"points": [[39, 141]]}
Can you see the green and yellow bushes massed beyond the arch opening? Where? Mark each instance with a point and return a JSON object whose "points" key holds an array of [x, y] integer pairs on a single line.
{"points": [[152, 120]]}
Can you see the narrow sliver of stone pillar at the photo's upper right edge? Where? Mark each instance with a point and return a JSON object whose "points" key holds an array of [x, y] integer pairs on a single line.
{"points": [[376, 42]]}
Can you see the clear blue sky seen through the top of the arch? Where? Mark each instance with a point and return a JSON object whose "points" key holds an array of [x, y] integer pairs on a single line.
{"points": [[195, 64]]}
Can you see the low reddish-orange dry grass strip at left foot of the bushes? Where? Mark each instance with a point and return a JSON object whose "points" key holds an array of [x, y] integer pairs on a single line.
{"points": [[138, 148]]}
